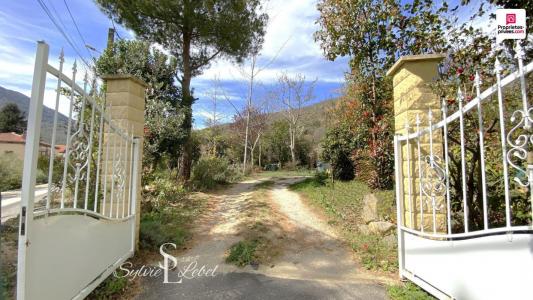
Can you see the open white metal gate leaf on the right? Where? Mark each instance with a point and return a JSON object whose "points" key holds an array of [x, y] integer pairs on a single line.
{"points": [[475, 169]]}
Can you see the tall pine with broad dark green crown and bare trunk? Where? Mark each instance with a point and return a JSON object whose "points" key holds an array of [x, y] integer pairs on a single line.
{"points": [[195, 33]]}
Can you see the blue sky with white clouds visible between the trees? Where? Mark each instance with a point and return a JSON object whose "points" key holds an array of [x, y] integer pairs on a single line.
{"points": [[289, 38]]}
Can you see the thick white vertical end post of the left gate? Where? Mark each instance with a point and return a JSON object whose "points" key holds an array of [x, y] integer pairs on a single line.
{"points": [[30, 164]]}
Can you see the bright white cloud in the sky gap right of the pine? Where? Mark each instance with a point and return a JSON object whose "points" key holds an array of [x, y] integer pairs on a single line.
{"points": [[289, 38]]}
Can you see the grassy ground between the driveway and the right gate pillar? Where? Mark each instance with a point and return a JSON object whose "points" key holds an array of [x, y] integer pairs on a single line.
{"points": [[342, 203]]}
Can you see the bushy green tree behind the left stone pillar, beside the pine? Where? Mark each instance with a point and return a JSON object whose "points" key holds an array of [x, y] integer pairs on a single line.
{"points": [[163, 119]]}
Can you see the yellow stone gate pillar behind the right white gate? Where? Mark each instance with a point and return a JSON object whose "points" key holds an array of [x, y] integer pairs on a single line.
{"points": [[413, 98]]}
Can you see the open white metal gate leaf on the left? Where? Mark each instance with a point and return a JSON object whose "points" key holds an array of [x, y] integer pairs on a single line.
{"points": [[85, 227]]}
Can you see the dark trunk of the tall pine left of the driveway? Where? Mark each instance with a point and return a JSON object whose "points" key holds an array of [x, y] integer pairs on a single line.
{"points": [[186, 157]]}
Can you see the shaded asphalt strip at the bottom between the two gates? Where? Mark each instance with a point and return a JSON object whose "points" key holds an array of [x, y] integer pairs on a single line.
{"points": [[244, 285]]}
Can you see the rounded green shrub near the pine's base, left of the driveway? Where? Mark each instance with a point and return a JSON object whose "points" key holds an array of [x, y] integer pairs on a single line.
{"points": [[210, 172]]}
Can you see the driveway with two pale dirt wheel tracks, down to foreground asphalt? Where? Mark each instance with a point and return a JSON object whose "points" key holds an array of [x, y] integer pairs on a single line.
{"points": [[314, 264]]}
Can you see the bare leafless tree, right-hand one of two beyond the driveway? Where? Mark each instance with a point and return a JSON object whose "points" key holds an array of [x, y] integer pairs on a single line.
{"points": [[292, 94]]}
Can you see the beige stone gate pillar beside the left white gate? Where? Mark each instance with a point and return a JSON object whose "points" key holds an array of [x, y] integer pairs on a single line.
{"points": [[125, 101]]}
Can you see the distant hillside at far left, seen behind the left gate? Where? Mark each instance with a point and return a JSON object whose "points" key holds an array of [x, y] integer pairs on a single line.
{"points": [[23, 102]]}
